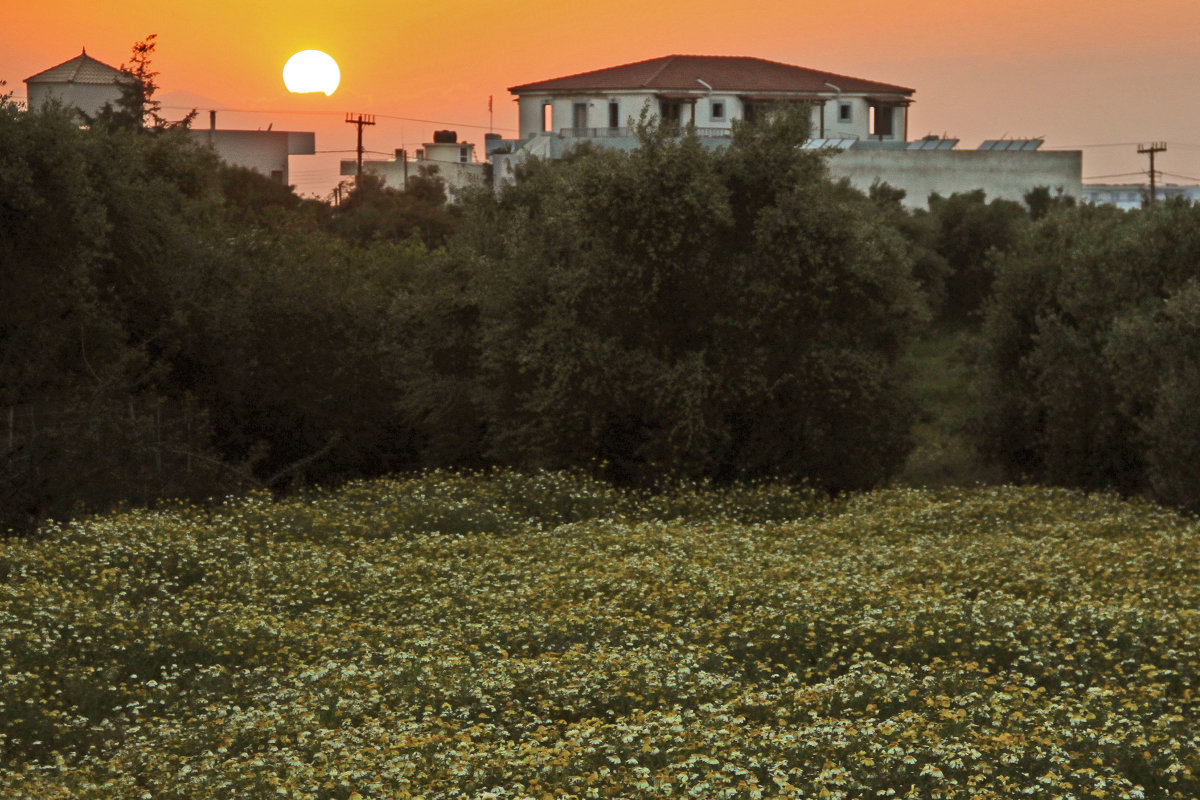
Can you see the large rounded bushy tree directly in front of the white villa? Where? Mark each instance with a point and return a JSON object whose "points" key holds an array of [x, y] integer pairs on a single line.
{"points": [[676, 309]]}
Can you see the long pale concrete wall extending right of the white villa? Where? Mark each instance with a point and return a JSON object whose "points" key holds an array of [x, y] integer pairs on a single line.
{"points": [[1001, 175]]}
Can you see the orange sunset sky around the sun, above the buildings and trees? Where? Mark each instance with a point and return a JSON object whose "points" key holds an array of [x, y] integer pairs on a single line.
{"points": [[1101, 76]]}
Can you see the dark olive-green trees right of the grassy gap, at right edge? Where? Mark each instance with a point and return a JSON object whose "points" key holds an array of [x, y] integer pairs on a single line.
{"points": [[1088, 358]]}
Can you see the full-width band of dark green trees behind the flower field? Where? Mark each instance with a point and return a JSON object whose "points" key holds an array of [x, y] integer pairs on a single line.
{"points": [[173, 327]]}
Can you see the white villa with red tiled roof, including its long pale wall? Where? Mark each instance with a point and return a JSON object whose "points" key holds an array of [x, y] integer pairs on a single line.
{"points": [[866, 123]]}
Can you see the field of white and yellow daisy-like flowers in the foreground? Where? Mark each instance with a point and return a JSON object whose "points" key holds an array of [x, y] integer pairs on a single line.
{"points": [[545, 636]]}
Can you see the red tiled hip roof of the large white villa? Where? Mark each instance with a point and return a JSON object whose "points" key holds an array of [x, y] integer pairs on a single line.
{"points": [[722, 73]]}
